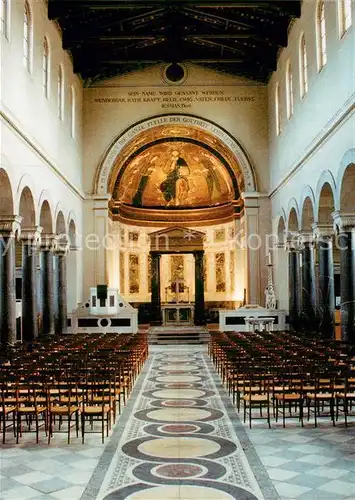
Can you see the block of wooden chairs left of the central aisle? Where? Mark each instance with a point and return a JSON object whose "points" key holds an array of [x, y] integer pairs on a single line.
{"points": [[77, 385]]}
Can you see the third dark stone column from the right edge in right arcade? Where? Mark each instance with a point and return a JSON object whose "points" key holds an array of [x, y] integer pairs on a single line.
{"points": [[308, 294]]}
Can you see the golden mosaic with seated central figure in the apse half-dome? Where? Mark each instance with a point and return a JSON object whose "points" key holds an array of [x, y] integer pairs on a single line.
{"points": [[175, 175]]}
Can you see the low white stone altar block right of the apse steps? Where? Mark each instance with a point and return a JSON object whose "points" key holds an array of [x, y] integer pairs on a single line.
{"points": [[241, 319]]}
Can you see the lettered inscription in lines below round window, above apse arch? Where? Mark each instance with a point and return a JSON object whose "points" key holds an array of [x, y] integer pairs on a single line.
{"points": [[181, 99]]}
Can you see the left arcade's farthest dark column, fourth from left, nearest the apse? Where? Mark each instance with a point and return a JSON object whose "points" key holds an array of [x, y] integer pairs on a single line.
{"points": [[62, 318]]}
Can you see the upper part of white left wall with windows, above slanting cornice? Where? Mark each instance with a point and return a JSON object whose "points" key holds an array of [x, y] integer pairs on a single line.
{"points": [[22, 94]]}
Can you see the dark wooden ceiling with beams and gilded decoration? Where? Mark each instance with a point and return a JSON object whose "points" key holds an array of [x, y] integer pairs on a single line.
{"points": [[112, 37]]}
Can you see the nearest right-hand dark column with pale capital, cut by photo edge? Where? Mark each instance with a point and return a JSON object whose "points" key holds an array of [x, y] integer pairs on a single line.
{"points": [[345, 224]]}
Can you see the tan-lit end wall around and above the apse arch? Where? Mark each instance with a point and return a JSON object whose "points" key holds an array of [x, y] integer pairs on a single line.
{"points": [[109, 110]]}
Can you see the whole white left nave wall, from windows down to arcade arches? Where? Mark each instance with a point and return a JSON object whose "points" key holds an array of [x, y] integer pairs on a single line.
{"points": [[37, 148]]}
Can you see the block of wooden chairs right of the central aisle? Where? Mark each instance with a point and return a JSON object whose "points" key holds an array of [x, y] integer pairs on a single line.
{"points": [[286, 376]]}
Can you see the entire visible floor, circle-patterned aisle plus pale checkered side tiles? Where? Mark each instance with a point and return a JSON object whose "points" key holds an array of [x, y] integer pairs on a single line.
{"points": [[180, 438]]}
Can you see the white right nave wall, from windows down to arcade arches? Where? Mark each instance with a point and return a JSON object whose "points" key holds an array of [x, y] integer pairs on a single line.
{"points": [[321, 130]]}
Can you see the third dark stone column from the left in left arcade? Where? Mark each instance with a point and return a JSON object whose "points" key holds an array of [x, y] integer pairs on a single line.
{"points": [[48, 242]]}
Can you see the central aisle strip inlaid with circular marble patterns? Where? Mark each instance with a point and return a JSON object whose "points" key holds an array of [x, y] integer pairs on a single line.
{"points": [[179, 438]]}
